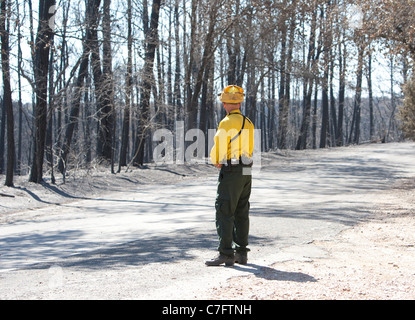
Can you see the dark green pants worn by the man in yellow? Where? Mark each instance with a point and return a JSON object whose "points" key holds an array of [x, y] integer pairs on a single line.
{"points": [[232, 210]]}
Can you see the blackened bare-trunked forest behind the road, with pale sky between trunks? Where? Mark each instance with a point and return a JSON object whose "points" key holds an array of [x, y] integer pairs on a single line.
{"points": [[87, 83]]}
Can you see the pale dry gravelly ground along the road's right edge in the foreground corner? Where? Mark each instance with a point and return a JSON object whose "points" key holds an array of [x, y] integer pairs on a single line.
{"points": [[373, 260]]}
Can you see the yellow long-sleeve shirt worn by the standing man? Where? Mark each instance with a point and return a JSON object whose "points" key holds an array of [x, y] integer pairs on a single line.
{"points": [[228, 143]]}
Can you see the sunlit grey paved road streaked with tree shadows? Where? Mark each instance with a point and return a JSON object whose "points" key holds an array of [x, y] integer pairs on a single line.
{"points": [[151, 243]]}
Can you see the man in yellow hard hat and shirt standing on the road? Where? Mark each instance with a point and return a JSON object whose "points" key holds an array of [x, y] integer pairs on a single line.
{"points": [[232, 153]]}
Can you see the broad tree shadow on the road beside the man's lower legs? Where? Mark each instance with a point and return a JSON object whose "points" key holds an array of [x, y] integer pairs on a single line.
{"points": [[172, 247]]}
